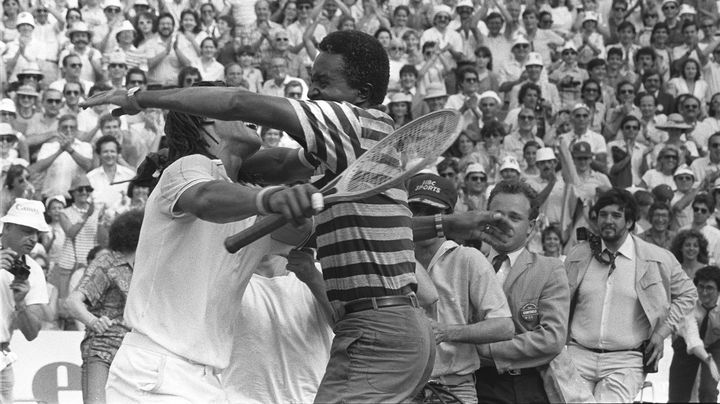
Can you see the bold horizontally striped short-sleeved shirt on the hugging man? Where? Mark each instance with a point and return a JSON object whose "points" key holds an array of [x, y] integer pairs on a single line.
{"points": [[365, 246]]}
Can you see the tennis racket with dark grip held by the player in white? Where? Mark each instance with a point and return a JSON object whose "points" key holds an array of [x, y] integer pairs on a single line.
{"points": [[388, 163]]}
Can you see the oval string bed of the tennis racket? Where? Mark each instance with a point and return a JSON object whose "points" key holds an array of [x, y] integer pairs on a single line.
{"points": [[416, 144]]}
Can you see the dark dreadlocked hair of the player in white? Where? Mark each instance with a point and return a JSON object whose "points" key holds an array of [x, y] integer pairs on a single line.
{"points": [[185, 136]]}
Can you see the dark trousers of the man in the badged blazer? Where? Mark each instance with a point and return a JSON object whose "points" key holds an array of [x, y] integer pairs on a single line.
{"points": [[508, 389]]}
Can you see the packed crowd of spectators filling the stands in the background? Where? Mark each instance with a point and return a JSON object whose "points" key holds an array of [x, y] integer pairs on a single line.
{"points": [[572, 97]]}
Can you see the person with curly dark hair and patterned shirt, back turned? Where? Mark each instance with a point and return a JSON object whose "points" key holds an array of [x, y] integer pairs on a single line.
{"points": [[99, 302]]}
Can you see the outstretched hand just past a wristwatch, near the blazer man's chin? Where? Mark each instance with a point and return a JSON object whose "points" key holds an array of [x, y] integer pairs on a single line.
{"points": [[490, 227]]}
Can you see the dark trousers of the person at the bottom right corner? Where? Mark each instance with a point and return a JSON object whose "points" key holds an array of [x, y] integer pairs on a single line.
{"points": [[683, 370]]}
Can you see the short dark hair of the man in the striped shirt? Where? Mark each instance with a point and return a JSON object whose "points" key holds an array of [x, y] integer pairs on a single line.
{"points": [[366, 62]]}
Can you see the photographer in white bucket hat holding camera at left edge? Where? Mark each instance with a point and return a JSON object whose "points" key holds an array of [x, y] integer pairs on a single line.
{"points": [[23, 291]]}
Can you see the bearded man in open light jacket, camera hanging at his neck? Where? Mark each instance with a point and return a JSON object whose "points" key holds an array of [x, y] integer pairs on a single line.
{"points": [[627, 297]]}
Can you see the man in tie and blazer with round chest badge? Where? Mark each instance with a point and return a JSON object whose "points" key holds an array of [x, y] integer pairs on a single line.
{"points": [[537, 291]]}
